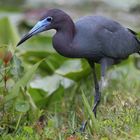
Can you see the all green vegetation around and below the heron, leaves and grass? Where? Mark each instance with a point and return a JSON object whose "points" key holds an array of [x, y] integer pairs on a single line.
{"points": [[44, 96]]}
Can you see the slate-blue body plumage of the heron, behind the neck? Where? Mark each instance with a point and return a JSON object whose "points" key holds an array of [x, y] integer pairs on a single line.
{"points": [[102, 37]]}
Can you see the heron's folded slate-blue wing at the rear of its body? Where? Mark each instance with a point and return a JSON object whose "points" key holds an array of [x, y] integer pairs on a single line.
{"points": [[117, 42]]}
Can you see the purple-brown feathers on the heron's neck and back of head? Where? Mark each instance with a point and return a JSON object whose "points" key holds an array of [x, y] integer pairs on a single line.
{"points": [[65, 32]]}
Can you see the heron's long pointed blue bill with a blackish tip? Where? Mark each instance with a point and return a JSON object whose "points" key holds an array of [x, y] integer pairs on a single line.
{"points": [[39, 27]]}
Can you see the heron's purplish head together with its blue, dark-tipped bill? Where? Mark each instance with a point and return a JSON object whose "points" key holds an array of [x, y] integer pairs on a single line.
{"points": [[53, 19]]}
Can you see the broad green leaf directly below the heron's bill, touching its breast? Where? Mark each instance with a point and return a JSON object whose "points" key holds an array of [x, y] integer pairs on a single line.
{"points": [[40, 47]]}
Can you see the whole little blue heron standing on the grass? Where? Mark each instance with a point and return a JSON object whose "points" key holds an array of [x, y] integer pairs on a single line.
{"points": [[95, 38]]}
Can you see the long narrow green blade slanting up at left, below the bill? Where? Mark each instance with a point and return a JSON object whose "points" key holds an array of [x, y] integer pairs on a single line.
{"points": [[23, 81]]}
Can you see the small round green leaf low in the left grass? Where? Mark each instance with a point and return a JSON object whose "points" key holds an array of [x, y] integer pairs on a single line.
{"points": [[22, 106]]}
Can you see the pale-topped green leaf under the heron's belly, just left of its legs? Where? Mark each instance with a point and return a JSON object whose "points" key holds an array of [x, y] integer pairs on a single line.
{"points": [[74, 69]]}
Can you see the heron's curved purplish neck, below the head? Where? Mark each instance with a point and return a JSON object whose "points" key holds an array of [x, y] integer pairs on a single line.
{"points": [[62, 40]]}
